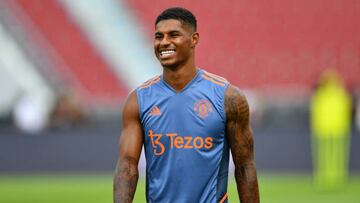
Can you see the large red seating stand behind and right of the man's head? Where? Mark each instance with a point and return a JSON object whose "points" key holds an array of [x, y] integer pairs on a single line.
{"points": [[289, 42]]}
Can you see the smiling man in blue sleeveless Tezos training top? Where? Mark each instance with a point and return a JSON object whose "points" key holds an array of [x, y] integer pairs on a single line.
{"points": [[186, 119]]}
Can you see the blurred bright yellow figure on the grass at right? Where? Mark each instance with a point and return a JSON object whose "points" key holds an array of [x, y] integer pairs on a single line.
{"points": [[330, 110]]}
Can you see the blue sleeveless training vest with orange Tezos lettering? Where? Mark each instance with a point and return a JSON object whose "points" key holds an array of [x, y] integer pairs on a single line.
{"points": [[187, 154]]}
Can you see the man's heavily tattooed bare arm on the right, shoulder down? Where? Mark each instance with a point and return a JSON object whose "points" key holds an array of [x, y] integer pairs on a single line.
{"points": [[241, 142]]}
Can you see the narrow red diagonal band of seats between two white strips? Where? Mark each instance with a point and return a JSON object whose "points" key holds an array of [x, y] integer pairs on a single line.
{"points": [[76, 58]]}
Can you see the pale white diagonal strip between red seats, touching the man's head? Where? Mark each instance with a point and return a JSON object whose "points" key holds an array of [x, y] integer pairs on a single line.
{"points": [[111, 26]]}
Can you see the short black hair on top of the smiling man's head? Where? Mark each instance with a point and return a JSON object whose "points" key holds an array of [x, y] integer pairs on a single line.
{"points": [[178, 13]]}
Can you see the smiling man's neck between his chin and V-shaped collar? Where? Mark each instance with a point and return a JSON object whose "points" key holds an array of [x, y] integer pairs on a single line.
{"points": [[179, 77]]}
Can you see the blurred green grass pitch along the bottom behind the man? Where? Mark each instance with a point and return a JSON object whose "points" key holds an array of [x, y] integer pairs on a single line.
{"points": [[97, 188]]}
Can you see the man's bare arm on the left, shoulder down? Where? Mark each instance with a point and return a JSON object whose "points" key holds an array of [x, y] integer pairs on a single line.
{"points": [[131, 141]]}
